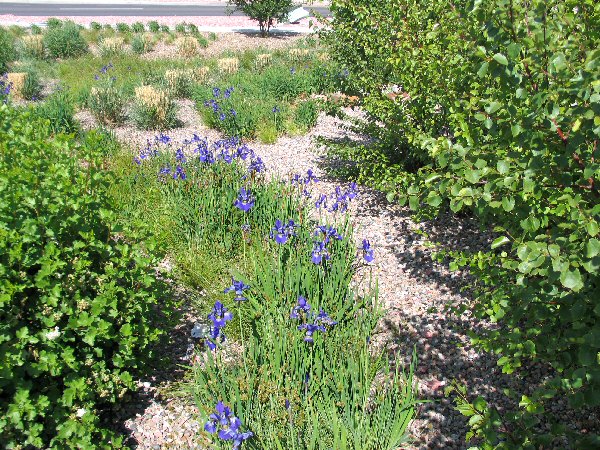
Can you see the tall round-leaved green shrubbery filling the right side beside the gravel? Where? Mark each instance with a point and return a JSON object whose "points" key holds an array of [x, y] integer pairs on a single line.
{"points": [[497, 114]]}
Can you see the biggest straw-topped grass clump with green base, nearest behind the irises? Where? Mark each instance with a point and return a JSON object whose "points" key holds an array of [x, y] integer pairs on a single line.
{"points": [[154, 109]]}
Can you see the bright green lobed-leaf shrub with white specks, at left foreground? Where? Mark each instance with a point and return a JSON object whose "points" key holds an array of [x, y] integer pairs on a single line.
{"points": [[76, 300]]}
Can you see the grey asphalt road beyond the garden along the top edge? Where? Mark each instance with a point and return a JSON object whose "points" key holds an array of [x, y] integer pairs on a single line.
{"points": [[66, 9]]}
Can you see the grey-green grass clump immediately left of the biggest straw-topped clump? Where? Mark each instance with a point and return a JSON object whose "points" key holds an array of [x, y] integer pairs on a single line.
{"points": [[106, 99]]}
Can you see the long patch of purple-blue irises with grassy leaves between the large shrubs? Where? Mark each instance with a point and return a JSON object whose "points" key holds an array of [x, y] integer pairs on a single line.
{"points": [[305, 376]]}
